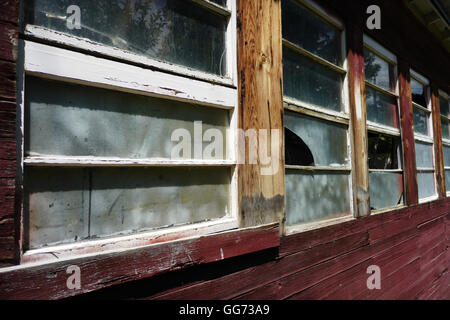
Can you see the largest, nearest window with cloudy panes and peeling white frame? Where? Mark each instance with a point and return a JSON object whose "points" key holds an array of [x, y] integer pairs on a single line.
{"points": [[100, 129]]}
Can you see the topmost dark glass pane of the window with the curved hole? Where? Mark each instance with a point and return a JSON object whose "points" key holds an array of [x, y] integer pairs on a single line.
{"points": [[304, 28]]}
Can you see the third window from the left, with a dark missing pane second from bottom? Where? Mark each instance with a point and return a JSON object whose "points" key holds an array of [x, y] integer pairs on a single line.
{"points": [[383, 129]]}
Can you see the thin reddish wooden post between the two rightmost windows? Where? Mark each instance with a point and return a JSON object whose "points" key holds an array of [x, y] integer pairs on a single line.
{"points": [[437, 136]]}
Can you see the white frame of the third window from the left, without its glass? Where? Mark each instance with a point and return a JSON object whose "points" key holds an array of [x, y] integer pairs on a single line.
{"points": [[374, 127]]}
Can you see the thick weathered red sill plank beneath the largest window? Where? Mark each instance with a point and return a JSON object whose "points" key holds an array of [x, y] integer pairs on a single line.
{"points": [[48, 281]]}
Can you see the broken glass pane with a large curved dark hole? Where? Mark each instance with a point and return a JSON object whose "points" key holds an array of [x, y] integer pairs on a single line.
{"points": [[326, 141]]}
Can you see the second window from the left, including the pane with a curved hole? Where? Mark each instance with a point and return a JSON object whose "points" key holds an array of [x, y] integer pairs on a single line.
{"points": [[317, 148]]}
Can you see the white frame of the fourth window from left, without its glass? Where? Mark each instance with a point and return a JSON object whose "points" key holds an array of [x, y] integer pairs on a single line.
{"points": [[425, 139]]}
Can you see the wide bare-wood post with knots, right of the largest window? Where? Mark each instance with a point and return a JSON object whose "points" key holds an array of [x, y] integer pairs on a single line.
{"points": [[260, 92]]}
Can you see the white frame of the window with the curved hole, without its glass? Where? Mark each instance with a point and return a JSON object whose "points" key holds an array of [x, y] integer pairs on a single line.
{"points": [[341, 117]]}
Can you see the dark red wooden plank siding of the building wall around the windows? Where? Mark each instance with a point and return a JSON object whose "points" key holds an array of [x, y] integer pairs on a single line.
{"points": [[410, 245]]}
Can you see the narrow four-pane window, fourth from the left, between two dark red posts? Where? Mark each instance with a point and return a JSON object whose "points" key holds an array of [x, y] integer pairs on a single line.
{"points": [[423, 136]]}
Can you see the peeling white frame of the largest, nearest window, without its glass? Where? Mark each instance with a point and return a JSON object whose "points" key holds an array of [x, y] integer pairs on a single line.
{"points": [[131, 73]]}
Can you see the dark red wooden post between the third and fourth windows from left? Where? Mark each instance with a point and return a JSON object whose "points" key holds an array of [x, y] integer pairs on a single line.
{"points": [[407, 131]]}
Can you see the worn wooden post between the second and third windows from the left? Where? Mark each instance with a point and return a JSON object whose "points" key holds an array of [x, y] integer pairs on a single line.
{"points": [[358, 117]]}
